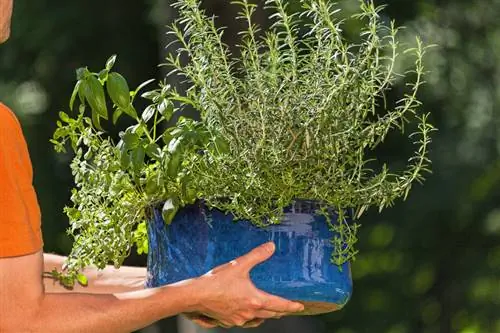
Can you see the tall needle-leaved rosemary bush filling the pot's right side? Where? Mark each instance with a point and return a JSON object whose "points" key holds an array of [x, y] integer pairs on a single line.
{"points": [[297, 114]]}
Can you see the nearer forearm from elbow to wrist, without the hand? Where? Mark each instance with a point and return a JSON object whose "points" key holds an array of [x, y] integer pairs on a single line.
{"points": [[121, 312]]}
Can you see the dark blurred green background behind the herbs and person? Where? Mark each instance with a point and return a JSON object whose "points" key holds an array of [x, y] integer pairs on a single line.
{"points": [[430, 264]]}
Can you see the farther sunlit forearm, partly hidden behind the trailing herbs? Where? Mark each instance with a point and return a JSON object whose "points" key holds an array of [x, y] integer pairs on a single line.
{"points": [[109, 280]]}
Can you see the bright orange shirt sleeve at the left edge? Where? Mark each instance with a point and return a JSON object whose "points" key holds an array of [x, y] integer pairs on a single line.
{"points": [[20, 218]]}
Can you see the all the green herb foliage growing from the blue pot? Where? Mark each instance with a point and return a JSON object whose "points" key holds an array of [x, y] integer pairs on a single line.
{"points": [[294, 117]]}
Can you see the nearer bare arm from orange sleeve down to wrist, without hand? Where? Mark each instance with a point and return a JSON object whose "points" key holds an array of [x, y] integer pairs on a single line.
{"points": [[25, 307]]}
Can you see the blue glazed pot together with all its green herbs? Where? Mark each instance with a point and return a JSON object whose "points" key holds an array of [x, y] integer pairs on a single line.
{"points": [[280, 151]]}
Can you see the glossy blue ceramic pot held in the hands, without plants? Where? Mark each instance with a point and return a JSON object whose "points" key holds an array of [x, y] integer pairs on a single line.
{"points": [[200, 239]]}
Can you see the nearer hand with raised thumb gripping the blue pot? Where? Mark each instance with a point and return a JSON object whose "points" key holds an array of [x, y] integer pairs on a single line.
{"points": [[228, 296]]}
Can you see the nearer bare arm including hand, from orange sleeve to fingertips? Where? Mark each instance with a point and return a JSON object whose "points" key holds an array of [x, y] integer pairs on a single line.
{"points": [[225, 294]]}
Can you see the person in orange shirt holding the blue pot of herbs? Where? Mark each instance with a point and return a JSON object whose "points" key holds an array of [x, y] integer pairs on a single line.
{"points": [[114, 300]]}
